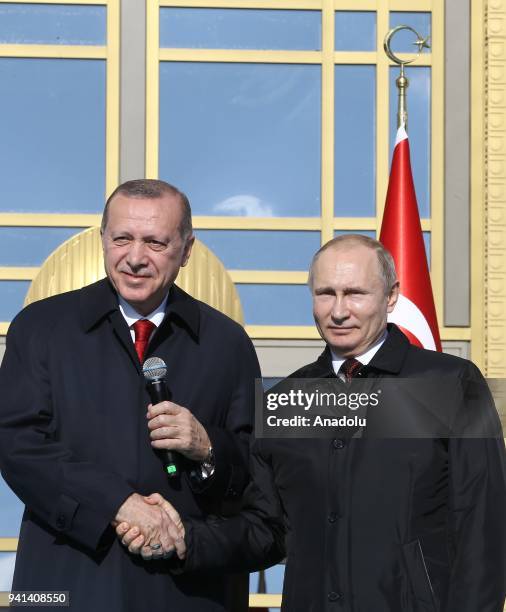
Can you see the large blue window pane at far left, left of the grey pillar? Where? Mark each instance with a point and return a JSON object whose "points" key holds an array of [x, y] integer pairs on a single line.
{"points": [[54, 137]]}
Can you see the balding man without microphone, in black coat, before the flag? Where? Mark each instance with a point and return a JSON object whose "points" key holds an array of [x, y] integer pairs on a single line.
{"points": [[369, 524]]}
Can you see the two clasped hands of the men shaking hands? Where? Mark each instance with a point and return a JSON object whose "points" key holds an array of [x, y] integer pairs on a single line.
{"points": [[150, 527]]}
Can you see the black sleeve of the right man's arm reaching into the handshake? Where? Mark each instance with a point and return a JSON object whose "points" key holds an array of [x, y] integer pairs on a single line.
{"points": [[251, 540]]}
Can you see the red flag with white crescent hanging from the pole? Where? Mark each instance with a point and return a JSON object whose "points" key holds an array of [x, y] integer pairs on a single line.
{"points": [[401, 234]]}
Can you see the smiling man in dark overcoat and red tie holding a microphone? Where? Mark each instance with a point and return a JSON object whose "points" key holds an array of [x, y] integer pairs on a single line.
{"points": [[78, 444]]}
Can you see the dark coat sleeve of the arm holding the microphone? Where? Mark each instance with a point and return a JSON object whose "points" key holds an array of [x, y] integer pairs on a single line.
{"points": [[230, 442]]}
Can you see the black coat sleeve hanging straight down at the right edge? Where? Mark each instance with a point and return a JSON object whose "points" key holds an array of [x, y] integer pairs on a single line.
{"points": [[478, 507]]}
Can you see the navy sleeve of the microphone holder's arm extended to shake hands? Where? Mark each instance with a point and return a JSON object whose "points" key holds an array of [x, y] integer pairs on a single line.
{"points": [[73, 497]]}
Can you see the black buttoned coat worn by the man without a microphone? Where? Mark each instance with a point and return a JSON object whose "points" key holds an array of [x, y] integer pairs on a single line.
{"points": [[374, 525]]}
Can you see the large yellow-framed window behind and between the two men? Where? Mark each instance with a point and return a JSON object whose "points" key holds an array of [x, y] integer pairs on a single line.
{"points": [[279, 124]]}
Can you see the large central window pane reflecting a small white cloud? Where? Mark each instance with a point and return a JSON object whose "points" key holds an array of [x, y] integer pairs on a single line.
{"points": [[242, 139]]}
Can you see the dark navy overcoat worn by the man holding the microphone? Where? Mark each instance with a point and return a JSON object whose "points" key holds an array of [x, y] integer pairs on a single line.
{"points": [[74, 442]]}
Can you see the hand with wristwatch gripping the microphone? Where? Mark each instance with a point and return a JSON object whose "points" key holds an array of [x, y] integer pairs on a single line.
{"points": [[173, 427]]}
